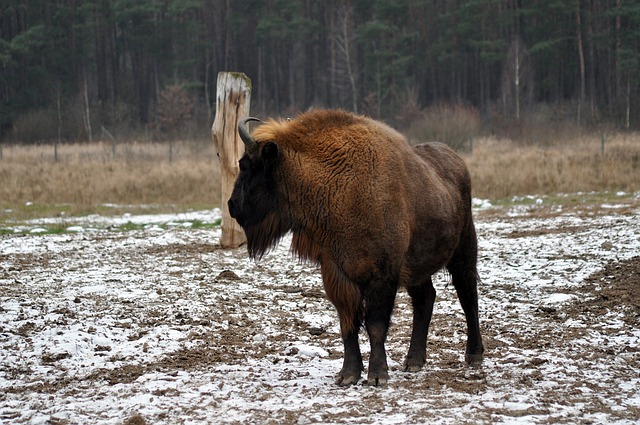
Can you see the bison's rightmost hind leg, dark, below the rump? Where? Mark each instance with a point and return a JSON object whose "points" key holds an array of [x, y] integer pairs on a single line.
{"points": [[464, 275]]}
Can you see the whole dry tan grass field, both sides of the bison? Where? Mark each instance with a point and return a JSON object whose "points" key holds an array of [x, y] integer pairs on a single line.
{"points": [[159, 177]]}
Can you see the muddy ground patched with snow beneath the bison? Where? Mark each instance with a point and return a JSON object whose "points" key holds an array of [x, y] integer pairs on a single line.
{"points": [[162, 326]]}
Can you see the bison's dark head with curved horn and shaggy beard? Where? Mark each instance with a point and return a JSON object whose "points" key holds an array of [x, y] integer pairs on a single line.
{"points": [[255, 200]]}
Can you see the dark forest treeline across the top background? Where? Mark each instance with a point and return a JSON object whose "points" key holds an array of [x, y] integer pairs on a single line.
{"points": [[77, 67]]}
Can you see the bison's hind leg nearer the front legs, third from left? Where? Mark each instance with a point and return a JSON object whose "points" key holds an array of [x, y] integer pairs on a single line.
{"points": [[422, 298]]}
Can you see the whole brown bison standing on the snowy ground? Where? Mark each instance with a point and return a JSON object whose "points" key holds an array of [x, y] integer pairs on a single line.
{"points": [[375, 213]]}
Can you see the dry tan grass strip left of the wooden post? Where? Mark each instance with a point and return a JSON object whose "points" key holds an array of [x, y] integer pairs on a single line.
{"points": [[86, 176]]}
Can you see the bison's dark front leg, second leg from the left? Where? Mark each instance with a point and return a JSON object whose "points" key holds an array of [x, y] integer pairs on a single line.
{"points": [[379, 301]]}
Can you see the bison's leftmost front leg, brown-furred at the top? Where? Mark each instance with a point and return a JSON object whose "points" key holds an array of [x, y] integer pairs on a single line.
{"points": [[347, 299]]}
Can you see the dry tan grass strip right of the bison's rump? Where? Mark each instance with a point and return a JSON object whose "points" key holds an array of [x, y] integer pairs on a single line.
{"points": [[499, 169]]}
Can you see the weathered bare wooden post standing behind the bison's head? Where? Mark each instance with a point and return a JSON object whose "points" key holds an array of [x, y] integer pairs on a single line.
{"points": [[232, 103]]}
